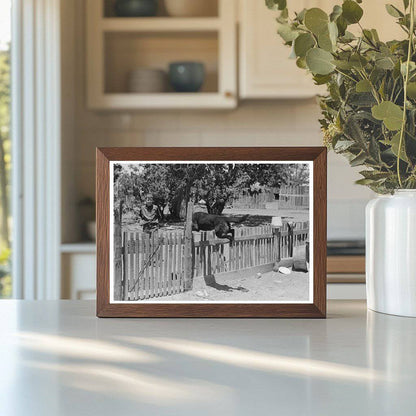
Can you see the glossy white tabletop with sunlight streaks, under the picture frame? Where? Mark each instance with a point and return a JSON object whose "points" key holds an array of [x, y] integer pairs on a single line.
{"points": [[56, 358]]}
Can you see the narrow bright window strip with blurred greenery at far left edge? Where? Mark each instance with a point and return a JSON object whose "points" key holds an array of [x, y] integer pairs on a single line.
{"points": [[5, 145]]}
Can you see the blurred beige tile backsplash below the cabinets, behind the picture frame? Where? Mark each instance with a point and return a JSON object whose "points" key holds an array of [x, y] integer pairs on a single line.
{"points": [[271, 123]]}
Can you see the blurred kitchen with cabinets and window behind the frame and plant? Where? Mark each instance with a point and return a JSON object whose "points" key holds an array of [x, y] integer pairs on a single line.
{"points": [[99, 73]]}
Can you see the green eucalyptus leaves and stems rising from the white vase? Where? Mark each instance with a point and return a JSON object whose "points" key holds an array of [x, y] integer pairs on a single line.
{"points": [[369, 112]]}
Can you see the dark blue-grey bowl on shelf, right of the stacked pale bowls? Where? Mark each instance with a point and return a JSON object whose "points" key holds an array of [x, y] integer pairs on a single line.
{"points": [[186, 76]]}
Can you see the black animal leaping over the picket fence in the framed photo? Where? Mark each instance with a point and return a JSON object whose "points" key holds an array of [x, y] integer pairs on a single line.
{"points": [[202, 221]]}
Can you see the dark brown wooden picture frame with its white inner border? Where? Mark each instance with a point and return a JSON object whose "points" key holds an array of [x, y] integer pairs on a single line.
{"points": [[315, 307]]}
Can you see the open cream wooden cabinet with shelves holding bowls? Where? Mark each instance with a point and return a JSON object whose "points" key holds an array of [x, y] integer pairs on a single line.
{"points": [[116, 46]]}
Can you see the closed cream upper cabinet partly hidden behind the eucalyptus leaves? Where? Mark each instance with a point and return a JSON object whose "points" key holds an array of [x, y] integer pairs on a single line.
{"points": [[265, 70]]}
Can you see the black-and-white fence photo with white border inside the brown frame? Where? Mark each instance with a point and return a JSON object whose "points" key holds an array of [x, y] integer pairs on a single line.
{"points": [[211, 232]]}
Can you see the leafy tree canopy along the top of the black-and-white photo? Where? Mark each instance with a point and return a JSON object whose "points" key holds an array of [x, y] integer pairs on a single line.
{"points": [[216, 183]]}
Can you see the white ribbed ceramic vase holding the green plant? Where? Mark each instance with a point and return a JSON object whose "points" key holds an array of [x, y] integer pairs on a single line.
{"points": [[391, 253]]}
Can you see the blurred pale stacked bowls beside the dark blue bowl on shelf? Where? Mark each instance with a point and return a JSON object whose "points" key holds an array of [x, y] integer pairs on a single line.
{"points": [[147, 80]]}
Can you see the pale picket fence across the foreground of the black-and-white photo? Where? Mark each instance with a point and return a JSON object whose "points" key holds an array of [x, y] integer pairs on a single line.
{"points": [[153, 265]]}
